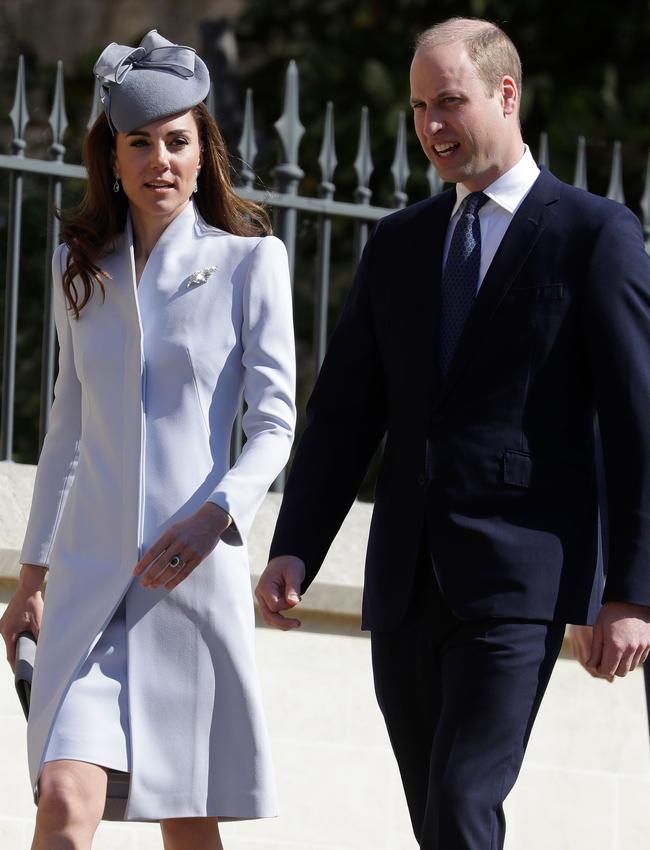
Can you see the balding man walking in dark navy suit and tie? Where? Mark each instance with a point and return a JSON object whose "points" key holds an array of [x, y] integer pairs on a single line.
{"points": [[484, 534]]}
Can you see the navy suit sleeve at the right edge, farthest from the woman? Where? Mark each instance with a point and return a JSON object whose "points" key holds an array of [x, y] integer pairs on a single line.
{"points": [[616, 316]]}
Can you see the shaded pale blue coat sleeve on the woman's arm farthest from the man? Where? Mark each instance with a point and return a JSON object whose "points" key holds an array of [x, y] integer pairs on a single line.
{"points": [[58, 460]]}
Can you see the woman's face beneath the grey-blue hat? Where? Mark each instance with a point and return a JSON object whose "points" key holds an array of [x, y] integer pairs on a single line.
{"points": [[158, 166]]}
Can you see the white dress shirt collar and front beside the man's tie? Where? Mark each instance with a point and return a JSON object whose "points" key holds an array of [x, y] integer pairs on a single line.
{"points": [[505, 194]]}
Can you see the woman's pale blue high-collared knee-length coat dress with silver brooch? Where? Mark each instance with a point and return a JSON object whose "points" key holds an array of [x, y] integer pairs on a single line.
{"points": [[162, 684]]}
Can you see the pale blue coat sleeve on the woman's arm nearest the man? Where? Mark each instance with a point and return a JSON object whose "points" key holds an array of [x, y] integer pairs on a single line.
{"points": [[269, 363]]}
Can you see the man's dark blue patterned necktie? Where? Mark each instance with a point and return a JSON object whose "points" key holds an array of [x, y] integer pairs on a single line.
{"points": [[460, 278]]}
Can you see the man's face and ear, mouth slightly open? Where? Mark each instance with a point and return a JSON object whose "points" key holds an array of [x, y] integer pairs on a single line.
{"points": [[469, 136]]}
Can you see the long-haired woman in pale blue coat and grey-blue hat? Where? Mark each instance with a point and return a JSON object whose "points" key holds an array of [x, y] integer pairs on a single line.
{"points": [[168, 304]]}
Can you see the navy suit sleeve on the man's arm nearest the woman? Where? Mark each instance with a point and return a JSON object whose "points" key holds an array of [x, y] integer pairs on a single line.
{"points": [[346, 419]]}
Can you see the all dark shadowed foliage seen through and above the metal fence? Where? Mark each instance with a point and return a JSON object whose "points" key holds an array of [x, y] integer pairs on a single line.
{"points": [[585, 72]]}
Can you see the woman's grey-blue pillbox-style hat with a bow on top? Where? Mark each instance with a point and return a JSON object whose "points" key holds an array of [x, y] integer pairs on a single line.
{"points": [[145, 83]]}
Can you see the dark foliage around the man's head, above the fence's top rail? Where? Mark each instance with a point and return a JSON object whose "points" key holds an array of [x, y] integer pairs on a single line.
{"points": [[585, 72]]}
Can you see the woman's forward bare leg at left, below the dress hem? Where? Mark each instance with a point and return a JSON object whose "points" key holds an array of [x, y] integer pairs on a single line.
{"points": [[71, 802]]}
